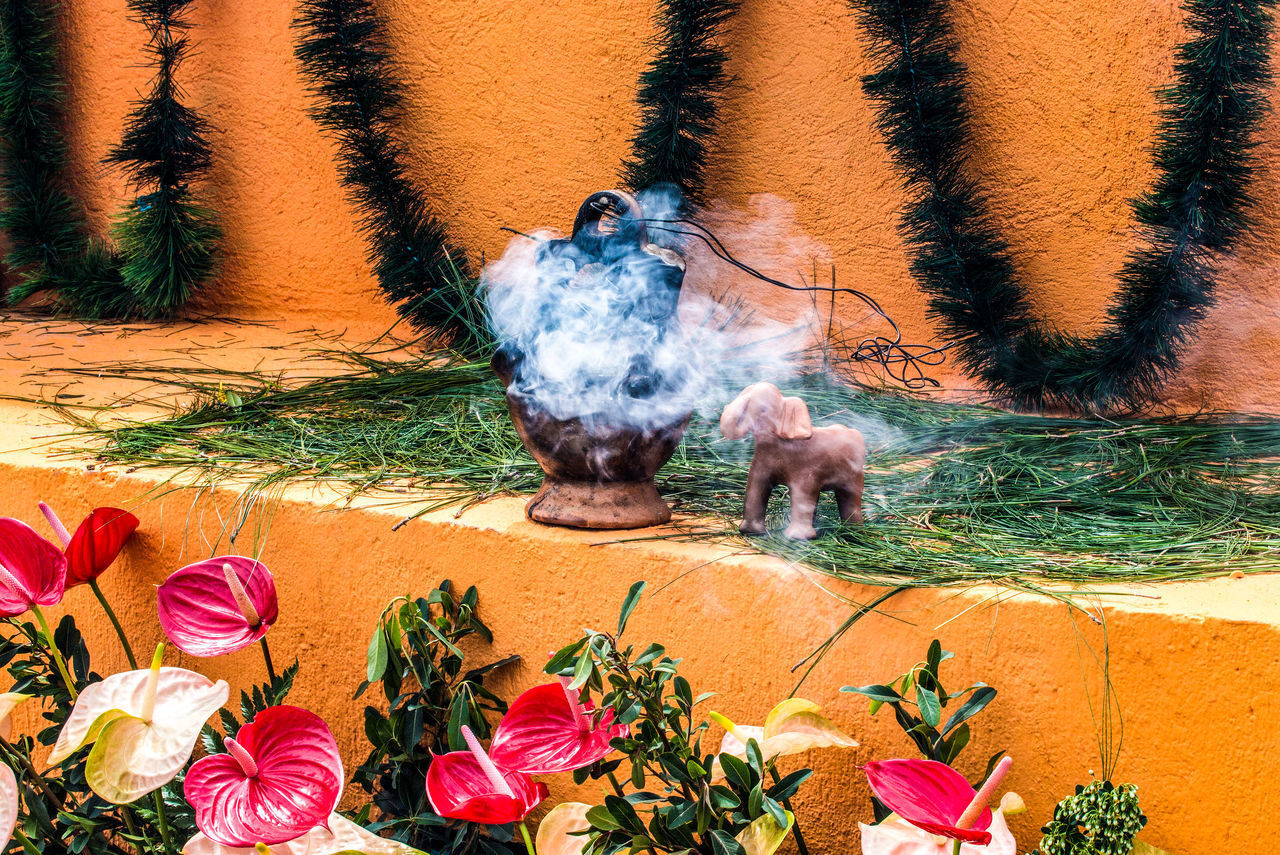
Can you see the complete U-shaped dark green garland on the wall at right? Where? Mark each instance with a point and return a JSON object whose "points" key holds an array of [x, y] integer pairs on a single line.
{"points": [[1199, 207]]}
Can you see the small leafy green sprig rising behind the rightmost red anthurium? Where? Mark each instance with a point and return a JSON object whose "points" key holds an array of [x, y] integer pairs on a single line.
{"points": [[921, 691]]}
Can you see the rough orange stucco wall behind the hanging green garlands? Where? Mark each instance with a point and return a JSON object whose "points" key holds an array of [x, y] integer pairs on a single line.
{"points": [[520, 109]]}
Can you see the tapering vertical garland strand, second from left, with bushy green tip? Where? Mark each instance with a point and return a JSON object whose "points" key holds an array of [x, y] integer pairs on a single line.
{"points": [[168, 237]]}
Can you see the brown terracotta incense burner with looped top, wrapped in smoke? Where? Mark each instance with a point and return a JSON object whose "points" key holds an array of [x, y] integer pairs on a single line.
{"points": [[600, 465]]}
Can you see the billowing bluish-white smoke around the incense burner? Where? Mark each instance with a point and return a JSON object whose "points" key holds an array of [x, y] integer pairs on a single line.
{"points": [[600, 336]]}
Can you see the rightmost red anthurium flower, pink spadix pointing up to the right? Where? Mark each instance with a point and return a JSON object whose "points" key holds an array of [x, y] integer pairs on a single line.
{"points": [[936, 798]]}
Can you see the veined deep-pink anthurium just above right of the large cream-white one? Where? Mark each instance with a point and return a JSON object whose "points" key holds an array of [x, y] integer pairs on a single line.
{"points": [[218, 606]]}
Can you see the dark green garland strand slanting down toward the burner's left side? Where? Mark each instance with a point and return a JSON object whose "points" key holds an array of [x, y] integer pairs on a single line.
{"points": [[345, 53]]}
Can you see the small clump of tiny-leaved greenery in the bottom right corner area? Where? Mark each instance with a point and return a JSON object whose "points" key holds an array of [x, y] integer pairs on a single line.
{"points": [[1100, 820]]}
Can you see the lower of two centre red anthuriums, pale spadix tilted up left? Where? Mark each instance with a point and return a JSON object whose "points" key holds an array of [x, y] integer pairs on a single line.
{"points": [[467, 785]]}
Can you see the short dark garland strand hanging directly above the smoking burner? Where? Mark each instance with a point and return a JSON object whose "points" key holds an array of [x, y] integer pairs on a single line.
{"points": [[679, 98]]}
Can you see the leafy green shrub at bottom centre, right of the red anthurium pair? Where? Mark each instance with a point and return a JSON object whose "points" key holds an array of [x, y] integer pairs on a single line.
{"points": [[671, 778]]}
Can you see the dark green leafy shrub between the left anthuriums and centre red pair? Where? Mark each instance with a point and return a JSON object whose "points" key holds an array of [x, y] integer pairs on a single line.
{"points": [[414, 657]]}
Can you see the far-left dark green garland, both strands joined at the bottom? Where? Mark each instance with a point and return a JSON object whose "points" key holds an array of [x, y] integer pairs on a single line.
{"points": [[166, 240]]}
